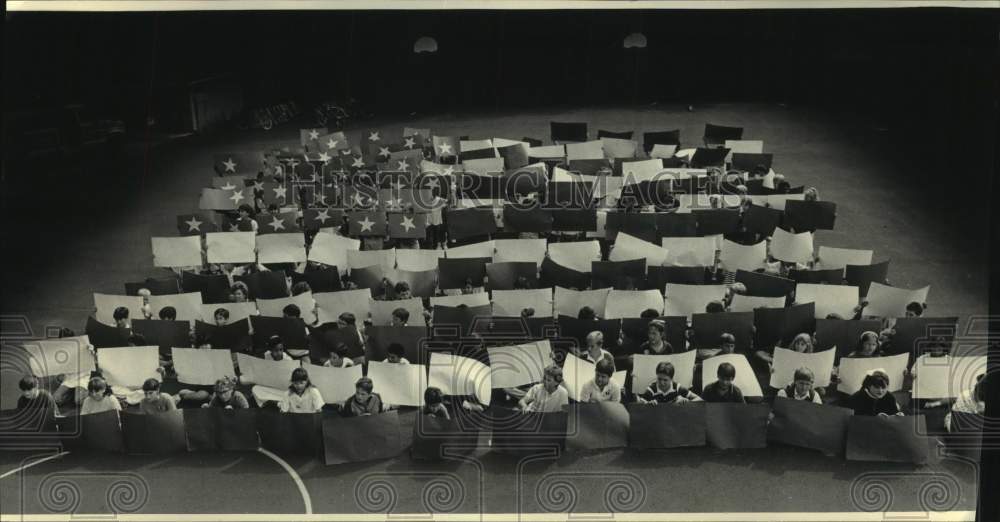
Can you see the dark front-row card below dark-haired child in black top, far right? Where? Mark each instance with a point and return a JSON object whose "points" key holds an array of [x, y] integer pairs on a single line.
{"points": [[891, 439]]}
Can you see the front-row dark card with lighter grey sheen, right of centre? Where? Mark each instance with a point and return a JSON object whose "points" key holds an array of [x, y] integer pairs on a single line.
{"points": [[600, 425]]}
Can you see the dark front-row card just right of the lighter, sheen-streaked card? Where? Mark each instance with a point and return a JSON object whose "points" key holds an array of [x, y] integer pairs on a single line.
{"points": [[654, 426]]}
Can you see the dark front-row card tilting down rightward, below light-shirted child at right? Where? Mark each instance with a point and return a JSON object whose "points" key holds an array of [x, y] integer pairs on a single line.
{"points": [[808, 425]]}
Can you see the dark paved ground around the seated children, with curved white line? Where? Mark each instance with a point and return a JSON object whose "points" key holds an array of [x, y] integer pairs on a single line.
{"points": [[931, 239]]}
